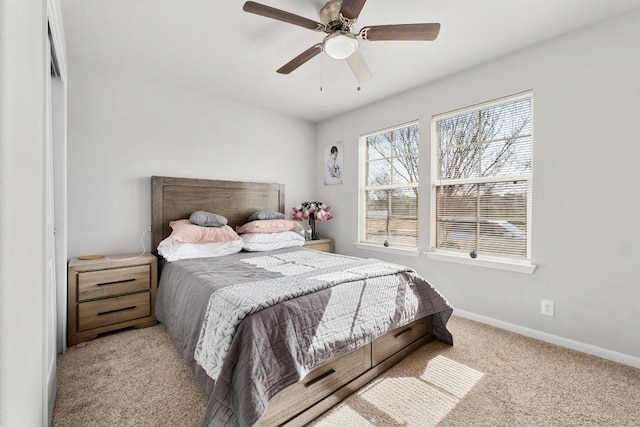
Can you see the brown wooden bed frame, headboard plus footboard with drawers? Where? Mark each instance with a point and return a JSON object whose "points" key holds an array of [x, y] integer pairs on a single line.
{"points": [[322, 388]]}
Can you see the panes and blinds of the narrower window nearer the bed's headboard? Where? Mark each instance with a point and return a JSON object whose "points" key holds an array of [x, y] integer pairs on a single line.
{"points": [[389, 201]]}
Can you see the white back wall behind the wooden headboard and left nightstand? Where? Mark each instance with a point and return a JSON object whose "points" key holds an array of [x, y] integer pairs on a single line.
{"points": [[124, 128]]}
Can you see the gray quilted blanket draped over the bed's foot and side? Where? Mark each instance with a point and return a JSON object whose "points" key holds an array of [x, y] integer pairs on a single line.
{"points": [[278, 344]]}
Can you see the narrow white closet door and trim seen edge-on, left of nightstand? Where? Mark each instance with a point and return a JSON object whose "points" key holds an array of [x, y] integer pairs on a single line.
{"points": [[54, 328]]}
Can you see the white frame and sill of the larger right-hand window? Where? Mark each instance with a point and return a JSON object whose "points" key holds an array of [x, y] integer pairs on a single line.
{"points": [[492, 261]]}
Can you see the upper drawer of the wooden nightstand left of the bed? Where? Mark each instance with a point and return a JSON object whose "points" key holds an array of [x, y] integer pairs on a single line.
{"points": [[117, 281]]}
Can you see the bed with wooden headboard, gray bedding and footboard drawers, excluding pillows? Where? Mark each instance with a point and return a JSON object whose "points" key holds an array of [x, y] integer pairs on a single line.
{"points": [[279, 337]]}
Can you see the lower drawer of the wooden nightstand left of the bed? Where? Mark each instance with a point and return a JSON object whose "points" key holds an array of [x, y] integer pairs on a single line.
{"points": [[94, 314]]}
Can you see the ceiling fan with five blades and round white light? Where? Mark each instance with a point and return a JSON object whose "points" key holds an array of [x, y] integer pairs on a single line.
{"points": [[338, 20]]}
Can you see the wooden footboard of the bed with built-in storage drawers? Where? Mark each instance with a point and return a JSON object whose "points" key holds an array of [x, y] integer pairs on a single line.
{"points": [[334, 381]]}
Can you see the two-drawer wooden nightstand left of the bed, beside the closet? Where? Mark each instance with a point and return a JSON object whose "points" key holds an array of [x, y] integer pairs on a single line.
{"points": [[110, 293]]}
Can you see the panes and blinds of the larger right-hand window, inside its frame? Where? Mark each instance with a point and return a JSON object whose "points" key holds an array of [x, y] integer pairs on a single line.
{"points": [[482, 179]]}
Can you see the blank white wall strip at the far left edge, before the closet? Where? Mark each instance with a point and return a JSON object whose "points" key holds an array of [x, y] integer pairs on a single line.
{"points": [[22, 96]]}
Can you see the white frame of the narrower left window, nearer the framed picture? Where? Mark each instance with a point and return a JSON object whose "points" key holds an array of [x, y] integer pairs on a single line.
{"points": [[363, 187]]}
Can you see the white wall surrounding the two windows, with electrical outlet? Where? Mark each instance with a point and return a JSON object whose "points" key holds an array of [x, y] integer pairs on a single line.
{"points": [[586, 239]]}
